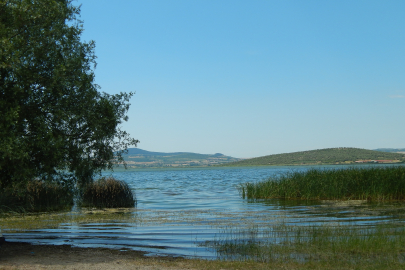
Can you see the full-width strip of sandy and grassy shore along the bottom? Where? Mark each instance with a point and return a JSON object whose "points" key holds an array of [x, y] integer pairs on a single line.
{"points": [[25, 256]]}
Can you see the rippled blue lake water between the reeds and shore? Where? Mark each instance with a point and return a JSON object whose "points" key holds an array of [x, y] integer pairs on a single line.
{"points": [[179, 210]]}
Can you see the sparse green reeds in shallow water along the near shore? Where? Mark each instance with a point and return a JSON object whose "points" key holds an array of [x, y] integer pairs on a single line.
{"points": [[343, 244]]}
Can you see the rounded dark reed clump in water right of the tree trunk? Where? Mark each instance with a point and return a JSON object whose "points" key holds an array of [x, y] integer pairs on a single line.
{"points": [[108, 193]]}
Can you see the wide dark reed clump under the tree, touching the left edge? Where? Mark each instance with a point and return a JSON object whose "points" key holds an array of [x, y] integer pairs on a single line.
{"points": [[36, 196]]}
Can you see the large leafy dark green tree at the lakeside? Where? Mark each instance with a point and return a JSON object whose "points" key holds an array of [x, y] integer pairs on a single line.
{"points": [[55, 125]]}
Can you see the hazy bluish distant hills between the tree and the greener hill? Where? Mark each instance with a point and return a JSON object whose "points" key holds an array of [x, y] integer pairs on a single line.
{"points": [[139, 158]]}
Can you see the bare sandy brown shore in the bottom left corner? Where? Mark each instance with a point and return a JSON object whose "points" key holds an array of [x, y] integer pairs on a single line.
{"points": [[26, 256]]}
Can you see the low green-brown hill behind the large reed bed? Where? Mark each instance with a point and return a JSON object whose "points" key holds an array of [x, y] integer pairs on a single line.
{"points": [[341, 155]]}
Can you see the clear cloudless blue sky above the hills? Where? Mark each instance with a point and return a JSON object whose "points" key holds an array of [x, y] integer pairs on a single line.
{"points": [[253, 78]]}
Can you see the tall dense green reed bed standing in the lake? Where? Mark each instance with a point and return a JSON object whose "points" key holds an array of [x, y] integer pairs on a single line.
{"points": [[372, 184]]}
